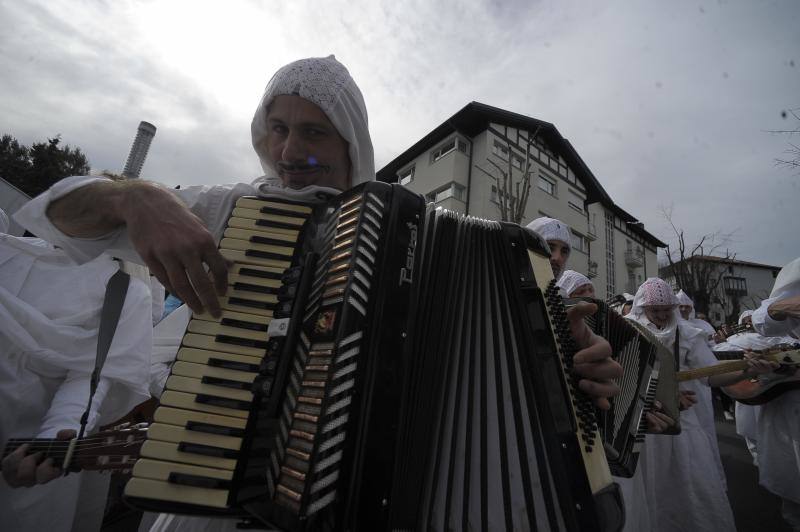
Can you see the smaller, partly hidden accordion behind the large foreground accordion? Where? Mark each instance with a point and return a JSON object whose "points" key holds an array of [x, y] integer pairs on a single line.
{"points": [[648, 376]]}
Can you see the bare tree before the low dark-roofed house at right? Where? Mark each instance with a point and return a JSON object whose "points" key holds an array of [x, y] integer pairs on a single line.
{"points": [[699, 269]]}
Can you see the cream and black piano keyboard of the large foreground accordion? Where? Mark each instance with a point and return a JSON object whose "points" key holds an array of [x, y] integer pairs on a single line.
{"points": [[194, 453]]}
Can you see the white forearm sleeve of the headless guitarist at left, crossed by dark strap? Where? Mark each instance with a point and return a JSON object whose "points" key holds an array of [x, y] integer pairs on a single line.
{"points": [[69, 403]]}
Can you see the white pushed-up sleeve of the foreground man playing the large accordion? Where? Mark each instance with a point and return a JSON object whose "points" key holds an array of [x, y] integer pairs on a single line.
{"points": [[212, 204]]}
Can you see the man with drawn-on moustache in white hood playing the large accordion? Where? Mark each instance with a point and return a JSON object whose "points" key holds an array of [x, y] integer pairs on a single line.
{"points": [[300, 162]]}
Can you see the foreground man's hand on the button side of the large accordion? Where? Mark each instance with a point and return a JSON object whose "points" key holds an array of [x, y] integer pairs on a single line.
{"points": [[593, 362]]}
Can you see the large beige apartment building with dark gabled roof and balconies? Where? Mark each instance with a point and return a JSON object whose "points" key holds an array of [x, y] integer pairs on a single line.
{"points": [[454, 166]]}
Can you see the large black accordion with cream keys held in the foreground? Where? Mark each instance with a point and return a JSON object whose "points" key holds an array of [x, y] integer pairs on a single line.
{"points": [[380, 364]]}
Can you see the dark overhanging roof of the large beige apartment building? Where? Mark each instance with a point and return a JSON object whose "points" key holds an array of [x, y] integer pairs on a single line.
{"points": [[476, 117]]}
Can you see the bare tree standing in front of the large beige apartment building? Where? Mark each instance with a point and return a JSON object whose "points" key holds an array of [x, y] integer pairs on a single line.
{"points": [[512, 194]]}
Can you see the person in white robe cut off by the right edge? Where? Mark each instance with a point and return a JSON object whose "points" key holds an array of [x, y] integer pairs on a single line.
{"points": [[779, 422]]}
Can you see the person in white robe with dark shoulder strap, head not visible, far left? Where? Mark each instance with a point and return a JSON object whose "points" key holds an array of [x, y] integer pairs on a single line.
{"points": [[49, 318]]}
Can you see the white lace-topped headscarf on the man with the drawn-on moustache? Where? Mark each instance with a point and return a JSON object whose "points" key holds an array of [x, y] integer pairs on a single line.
{"points": [[326, 83]]}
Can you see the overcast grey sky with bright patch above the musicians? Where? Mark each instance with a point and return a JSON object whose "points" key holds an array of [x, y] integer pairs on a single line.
{"points": [[669, 103]]}
